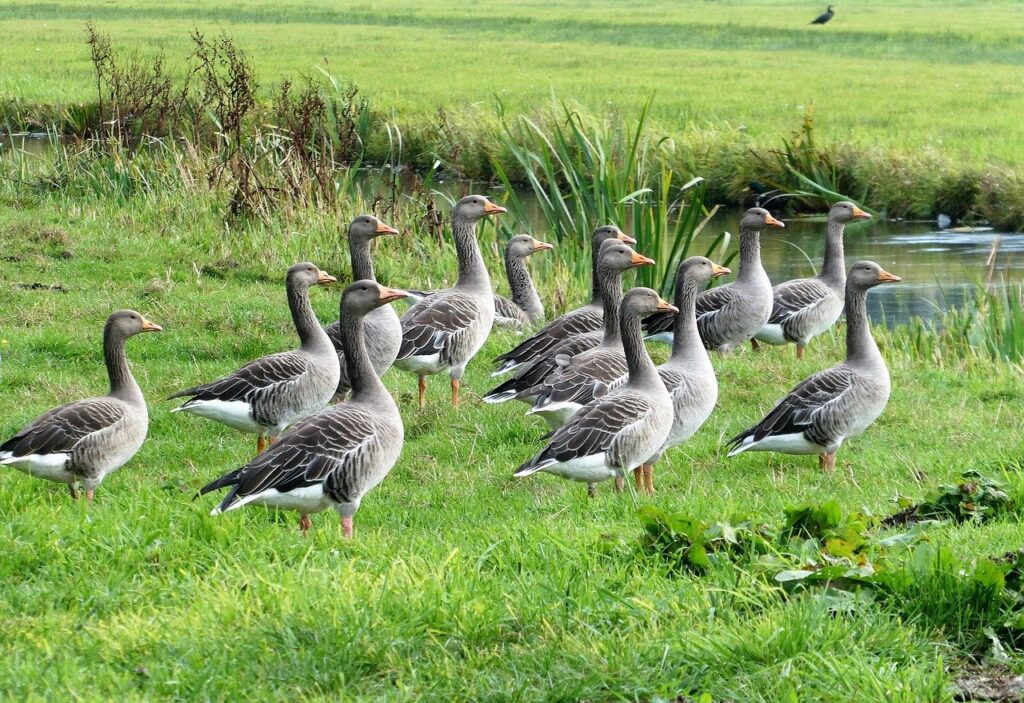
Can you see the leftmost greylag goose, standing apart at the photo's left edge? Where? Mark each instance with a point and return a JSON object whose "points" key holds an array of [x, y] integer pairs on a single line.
{"points": [[86, 441]]}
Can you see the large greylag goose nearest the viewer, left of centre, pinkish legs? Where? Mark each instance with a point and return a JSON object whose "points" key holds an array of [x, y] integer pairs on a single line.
{"points": [[335, 458]]}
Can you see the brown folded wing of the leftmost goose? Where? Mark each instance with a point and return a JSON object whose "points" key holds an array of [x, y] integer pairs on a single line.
{"points": [[61, 429]]}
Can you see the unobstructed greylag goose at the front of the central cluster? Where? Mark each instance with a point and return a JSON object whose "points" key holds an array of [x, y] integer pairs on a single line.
{"points": [[621, 430]]}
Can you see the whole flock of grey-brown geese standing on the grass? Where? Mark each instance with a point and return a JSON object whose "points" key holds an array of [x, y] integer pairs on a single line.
{"points": [[587, 374]]}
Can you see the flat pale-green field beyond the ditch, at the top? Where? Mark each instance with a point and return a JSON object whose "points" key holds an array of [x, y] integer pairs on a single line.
{"points": [[909, 75]]}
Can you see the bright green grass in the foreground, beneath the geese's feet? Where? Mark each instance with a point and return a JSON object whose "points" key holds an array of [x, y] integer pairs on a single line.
{"points": [[462, 584]]}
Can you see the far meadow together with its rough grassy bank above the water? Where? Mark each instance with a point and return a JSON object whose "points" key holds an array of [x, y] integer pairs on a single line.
{"points": [[915, 104]]}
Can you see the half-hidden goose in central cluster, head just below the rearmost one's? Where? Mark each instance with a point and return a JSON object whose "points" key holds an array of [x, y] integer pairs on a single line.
{"points": [[614, 259]]}
